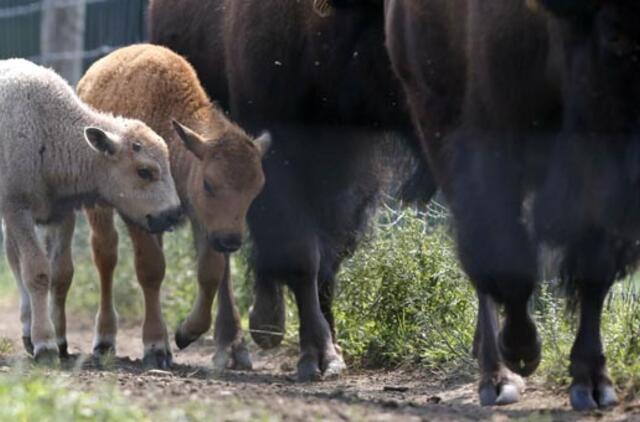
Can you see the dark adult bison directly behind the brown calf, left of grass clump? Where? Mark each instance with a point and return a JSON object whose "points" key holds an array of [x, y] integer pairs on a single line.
{"points": [[320, 81]]}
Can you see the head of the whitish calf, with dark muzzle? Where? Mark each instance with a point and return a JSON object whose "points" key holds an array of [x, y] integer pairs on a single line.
{"points": [[134, 175]]}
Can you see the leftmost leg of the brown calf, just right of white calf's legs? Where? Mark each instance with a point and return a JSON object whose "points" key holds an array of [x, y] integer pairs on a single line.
{"points": [[104, 245]]}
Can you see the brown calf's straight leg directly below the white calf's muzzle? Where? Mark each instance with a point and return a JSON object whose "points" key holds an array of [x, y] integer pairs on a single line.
{"points": [[150, 270]]}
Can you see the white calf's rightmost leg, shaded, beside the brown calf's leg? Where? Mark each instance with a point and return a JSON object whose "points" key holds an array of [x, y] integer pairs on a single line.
{"points": [[58, 240]]}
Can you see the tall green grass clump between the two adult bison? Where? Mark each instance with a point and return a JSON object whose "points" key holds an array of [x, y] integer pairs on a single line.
{"points": [[403, 298]]}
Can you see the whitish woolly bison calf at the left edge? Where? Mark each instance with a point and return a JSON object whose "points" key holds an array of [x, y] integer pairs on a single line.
{"points": [[57, 154]]}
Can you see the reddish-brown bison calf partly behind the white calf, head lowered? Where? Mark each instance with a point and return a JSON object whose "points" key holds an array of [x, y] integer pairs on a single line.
{"points": [[218, 172]]}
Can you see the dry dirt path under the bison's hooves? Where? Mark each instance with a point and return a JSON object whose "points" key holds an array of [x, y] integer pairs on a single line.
{"points": [[270, 392]]}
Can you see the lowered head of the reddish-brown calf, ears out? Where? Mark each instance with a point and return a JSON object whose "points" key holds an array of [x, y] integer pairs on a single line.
{"points": [[223, 187]]}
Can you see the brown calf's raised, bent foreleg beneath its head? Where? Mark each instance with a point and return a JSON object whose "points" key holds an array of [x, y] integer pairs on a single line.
{"points": [[211, 269]]}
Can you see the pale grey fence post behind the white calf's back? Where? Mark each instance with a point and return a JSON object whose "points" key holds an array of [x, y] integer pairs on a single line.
{"points": [[62, 37]]}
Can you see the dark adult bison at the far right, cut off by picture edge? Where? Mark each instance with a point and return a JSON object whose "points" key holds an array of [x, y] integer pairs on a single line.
{"points": [[542, 99]]}
